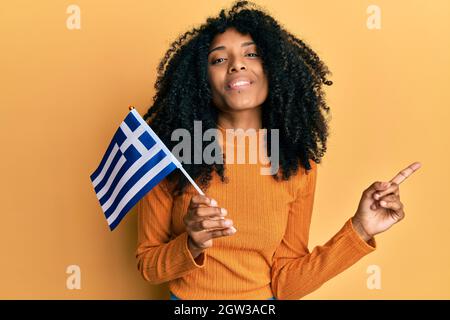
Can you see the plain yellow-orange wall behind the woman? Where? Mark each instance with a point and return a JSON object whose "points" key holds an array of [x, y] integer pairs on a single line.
{"points": [[63, 93]]}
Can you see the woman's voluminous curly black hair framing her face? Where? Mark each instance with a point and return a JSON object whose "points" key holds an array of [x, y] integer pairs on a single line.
{"points": [[295, 104]]}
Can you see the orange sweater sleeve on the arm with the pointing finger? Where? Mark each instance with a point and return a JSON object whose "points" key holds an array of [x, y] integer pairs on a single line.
{"points": [[296, 271]]}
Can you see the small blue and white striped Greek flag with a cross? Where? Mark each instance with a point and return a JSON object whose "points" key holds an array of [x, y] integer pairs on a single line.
{"points": [[135, 161]]}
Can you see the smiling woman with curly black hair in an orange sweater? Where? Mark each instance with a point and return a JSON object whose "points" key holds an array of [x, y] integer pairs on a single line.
{"points": [[248, 238]]}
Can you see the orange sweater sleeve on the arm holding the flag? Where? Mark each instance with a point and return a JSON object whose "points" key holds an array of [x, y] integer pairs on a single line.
{"points": [[160, 256]]}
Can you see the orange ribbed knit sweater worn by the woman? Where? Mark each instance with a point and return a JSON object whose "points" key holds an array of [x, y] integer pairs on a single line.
{"points": [[268, 256]]}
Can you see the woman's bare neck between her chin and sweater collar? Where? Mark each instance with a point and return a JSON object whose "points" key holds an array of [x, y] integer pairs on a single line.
{"points": [[245, 119]]}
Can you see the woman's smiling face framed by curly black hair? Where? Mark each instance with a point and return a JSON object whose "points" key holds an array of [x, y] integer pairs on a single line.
{"points": [[235, 72]]}
